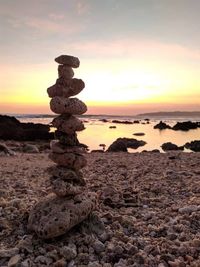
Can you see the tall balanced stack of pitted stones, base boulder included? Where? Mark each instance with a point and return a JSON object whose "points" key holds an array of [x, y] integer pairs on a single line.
{"points": [[70, 202]]}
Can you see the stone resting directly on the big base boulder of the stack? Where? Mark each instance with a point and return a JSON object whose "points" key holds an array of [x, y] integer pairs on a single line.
{"points": [[62, 188]]}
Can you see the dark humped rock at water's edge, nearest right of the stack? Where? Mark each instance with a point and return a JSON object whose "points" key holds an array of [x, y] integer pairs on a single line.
{"points": [[121, 144]]}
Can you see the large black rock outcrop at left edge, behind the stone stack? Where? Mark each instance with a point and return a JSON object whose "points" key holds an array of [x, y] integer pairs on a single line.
{"points": [[13, 129]]}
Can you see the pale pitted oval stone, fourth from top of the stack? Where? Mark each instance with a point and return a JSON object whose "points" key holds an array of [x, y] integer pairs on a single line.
{"points": [[60, 105]]}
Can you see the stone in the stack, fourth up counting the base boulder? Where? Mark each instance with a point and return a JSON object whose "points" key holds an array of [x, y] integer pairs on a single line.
{"points": [[70, 160]]}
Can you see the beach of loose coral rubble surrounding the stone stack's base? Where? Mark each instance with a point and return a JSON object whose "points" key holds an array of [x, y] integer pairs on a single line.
{"points": [[148, 213]]}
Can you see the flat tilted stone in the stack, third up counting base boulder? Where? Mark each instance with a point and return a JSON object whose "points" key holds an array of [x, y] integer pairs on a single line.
{"points": [[68, 175]]}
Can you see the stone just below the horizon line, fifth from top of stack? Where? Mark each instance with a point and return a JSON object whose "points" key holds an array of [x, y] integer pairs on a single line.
{"points": [[68, 124]]}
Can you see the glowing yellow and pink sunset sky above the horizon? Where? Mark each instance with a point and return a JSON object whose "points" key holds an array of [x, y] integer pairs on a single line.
{"points": [[136, 55]]}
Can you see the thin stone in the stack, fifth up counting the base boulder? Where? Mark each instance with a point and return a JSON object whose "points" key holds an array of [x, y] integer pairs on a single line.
{"points": [[59, 148]]}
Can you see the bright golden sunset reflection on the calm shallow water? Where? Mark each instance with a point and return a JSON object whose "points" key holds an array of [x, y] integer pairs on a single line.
{"points": [[98, 132]]}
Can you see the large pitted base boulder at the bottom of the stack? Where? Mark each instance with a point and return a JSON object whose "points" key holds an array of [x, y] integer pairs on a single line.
{"points": [[54, 216]]}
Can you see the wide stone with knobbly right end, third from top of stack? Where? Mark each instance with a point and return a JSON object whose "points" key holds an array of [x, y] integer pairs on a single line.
{"points": [[66, 88]]}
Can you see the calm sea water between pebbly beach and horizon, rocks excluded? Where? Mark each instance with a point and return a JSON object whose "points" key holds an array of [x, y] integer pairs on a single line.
{"points": [[98, 132]]}
